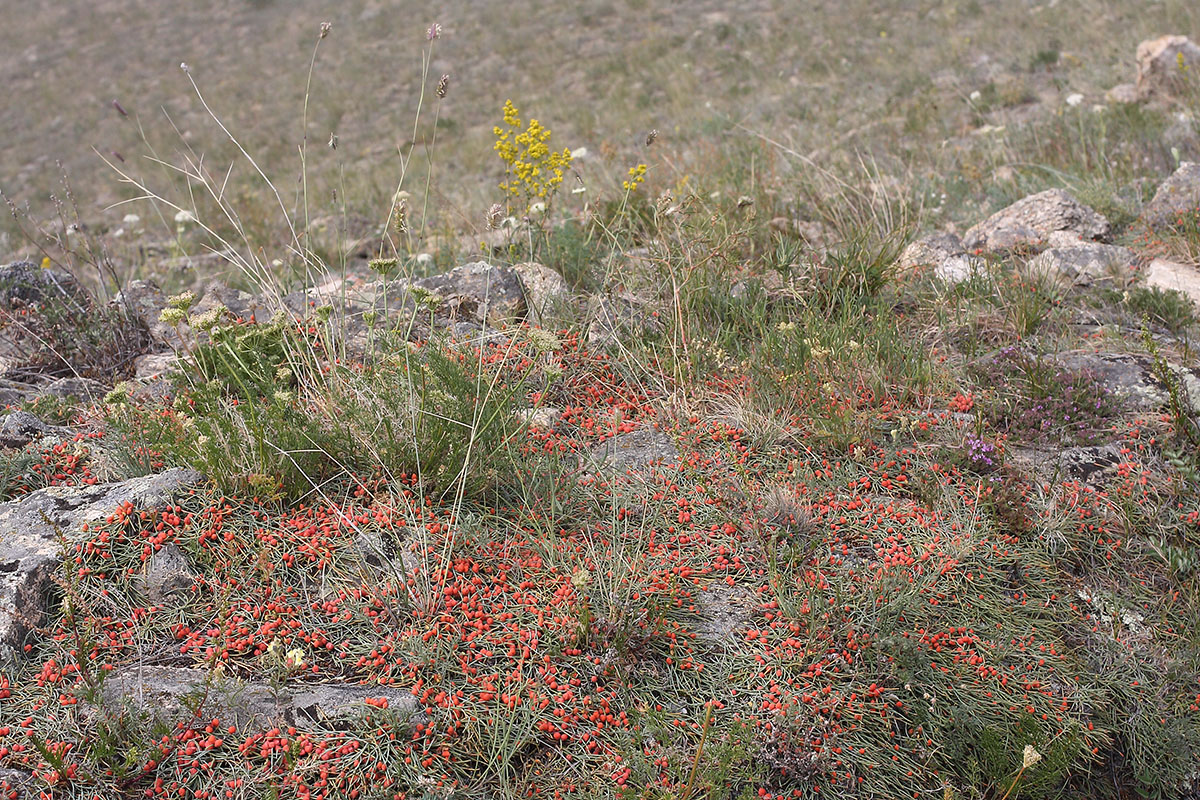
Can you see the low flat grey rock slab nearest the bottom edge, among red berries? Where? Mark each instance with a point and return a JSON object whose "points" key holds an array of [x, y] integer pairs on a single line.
{"points": [[170, 695]]}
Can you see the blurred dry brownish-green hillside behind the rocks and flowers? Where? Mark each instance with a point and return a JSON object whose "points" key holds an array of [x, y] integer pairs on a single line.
{"points": [[832, 81]]}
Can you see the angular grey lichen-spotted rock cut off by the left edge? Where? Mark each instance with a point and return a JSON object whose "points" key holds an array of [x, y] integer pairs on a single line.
{"points": [[31, 549]]}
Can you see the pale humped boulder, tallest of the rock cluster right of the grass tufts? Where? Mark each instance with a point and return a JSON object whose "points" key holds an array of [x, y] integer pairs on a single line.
{"points": [[1029, 222]]}
